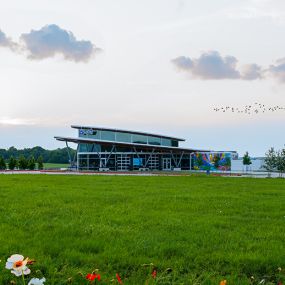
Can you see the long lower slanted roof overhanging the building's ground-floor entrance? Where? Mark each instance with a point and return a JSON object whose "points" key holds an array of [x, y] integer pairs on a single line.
{"points": [[145, 146]]}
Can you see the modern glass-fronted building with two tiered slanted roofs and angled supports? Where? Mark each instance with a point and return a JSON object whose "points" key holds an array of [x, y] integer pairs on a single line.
{"points": [[103, 149]]}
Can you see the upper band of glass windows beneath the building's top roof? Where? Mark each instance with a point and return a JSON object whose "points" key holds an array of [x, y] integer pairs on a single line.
{"points": [[126, 137]]}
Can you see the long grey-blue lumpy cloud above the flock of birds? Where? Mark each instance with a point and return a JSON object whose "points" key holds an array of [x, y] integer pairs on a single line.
{"points": [[211, 65]]}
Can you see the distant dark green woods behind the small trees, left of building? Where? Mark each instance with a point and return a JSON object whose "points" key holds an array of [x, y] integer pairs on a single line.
{"points": [[59, 155]]}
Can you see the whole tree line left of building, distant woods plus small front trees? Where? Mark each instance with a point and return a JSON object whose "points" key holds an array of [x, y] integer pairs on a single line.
{"points": [[27, 157]]}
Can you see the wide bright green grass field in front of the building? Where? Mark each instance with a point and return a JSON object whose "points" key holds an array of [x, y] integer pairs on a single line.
{"points": [[204, 228]]}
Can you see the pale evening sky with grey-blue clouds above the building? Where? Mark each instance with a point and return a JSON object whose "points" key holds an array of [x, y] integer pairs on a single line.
{"points": [[155, 65]]}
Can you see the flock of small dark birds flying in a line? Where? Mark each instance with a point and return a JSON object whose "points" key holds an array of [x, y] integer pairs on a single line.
{"points": [[250, 109]]}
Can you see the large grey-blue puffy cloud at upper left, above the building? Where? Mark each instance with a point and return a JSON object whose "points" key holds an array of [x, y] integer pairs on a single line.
{"points": [[52, 40]]}
